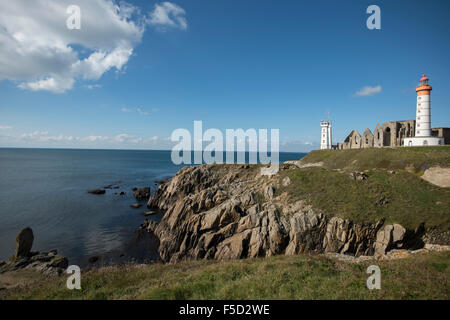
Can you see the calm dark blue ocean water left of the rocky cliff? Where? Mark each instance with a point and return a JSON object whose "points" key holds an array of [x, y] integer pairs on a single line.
{"points": [[46, 189]]}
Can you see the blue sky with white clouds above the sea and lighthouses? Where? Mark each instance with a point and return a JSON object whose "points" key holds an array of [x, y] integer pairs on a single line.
{"points": [[136, 71]]}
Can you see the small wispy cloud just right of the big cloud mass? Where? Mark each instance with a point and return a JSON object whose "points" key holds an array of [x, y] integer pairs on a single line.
{"points": [[168, 14]]}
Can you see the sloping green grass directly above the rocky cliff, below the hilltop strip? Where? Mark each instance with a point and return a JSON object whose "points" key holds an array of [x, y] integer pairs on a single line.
{"points": [[411, 199]]}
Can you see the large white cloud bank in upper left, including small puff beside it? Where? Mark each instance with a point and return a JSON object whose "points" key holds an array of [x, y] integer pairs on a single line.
{"points": [[40, 53]]}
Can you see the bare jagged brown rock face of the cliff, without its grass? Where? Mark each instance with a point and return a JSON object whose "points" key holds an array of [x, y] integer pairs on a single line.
{"points": [[233, 212]]}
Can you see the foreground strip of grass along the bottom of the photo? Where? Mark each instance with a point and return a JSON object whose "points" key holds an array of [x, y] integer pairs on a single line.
{"points": [[421, 276]]}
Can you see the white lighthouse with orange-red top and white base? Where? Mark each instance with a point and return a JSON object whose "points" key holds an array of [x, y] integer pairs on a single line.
{"points": [[423, 118]]}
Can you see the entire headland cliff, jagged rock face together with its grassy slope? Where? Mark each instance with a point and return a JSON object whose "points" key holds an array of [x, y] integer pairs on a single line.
{"points": [[231, 212]]}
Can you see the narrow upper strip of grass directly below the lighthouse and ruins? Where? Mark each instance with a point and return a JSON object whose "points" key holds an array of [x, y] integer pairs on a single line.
{"points": [[419, 158]]}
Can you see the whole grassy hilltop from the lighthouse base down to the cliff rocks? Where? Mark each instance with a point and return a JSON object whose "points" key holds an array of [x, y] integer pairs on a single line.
{"points": [[393, 188]]}
